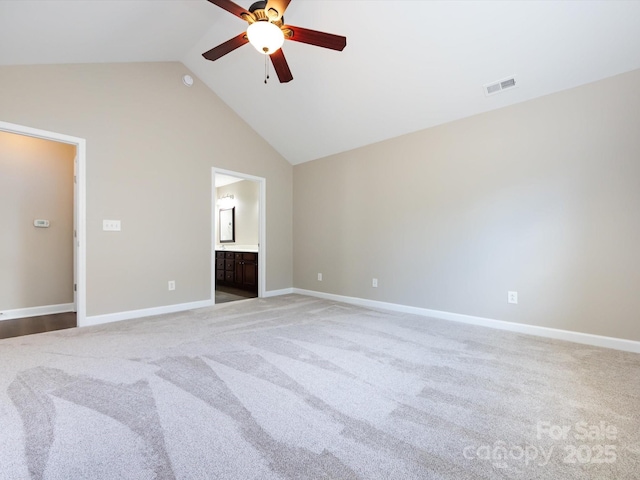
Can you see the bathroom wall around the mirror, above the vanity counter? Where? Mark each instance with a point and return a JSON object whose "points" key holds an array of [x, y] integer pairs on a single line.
{"points": [[247, 219]]}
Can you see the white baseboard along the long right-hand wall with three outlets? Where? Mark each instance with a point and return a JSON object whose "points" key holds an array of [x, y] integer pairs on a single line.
{"points": [[567, 335]]}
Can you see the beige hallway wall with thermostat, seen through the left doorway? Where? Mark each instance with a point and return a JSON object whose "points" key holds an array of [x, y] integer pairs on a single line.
{"points": [[36, 182]]}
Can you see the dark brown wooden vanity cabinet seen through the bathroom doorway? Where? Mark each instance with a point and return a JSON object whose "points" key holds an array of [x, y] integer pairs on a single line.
{"points": [[238, 270]]}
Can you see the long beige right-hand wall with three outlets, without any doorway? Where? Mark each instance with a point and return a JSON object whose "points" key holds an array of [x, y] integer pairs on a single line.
{"points": [[541, 198]]}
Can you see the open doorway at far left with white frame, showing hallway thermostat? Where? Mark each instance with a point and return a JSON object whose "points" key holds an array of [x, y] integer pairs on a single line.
{"points": [[44, 242]]}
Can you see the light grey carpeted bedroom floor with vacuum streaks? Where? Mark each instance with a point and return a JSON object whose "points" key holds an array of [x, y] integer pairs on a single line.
{"points": [[295, 387]]}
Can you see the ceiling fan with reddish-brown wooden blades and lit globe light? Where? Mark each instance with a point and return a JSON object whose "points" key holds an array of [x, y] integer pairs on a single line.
{"points": [[267, 32]]}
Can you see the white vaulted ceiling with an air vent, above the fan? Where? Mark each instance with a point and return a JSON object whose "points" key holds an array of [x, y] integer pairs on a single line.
{"points": [[408, 65]]}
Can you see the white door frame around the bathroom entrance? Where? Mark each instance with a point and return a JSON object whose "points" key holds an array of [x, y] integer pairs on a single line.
{"points": [[262, 221]]}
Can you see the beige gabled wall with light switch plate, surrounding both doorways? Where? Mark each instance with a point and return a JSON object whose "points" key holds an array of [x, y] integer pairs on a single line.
{"points": [[151, 144]]}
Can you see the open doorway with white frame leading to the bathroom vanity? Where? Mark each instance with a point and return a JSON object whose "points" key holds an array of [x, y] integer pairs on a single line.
{"points": [[238, 236]]}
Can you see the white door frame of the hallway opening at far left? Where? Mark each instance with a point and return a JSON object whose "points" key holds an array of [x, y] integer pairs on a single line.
{"points": [[80, 208]]}
